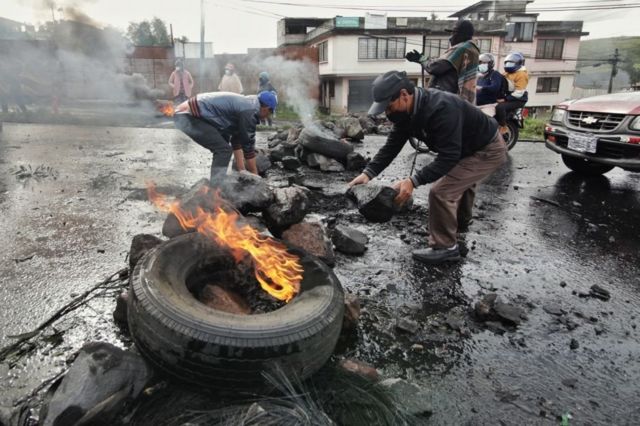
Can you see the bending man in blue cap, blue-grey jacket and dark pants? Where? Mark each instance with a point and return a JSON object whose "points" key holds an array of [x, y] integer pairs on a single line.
{"points": [[224, 123]]}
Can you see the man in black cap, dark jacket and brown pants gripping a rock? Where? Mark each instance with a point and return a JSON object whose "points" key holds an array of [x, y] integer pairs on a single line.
{"points": [[468, 145]]}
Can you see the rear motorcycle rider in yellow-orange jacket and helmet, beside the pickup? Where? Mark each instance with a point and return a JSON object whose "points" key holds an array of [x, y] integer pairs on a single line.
{"points": [[517, 96]]}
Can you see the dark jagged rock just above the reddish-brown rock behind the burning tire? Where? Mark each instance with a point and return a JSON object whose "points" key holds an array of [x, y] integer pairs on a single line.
{"points": [[289, 206]]}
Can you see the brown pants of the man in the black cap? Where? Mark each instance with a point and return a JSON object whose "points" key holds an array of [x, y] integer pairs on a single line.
{"points": [[451, 197]]}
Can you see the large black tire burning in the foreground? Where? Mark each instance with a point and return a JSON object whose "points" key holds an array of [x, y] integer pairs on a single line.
{"points": [[197, 344]]}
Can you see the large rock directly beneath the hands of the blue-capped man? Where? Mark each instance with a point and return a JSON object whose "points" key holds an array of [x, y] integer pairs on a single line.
{"points": [[246, 192]]}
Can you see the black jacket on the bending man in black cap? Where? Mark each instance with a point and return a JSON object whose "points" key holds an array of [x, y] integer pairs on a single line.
{"points": [[455, 129]]}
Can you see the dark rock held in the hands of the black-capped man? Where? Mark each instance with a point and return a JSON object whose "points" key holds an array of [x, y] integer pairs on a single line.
{"points": [[375, 202]]}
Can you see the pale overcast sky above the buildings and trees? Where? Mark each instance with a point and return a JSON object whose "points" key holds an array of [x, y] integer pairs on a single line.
{"points": [[235, 25]]}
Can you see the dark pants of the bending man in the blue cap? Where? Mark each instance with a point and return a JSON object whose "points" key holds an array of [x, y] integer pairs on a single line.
{"points": [[206, 135]]}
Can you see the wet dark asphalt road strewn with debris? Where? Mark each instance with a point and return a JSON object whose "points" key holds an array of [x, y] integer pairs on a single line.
{"points": [[67, 223]]}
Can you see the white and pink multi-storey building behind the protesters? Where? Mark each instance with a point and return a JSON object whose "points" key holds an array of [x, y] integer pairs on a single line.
{"points": [[352, 51]]}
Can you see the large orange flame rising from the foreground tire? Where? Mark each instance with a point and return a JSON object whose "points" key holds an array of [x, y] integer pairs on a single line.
{"points": [[278, 272]]}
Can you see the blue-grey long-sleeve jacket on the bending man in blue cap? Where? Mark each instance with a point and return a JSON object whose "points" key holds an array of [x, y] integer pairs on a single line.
{"points": [[235, 116]]}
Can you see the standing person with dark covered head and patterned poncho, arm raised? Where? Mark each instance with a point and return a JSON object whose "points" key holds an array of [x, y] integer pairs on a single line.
{"points": [[455, 70]]}
